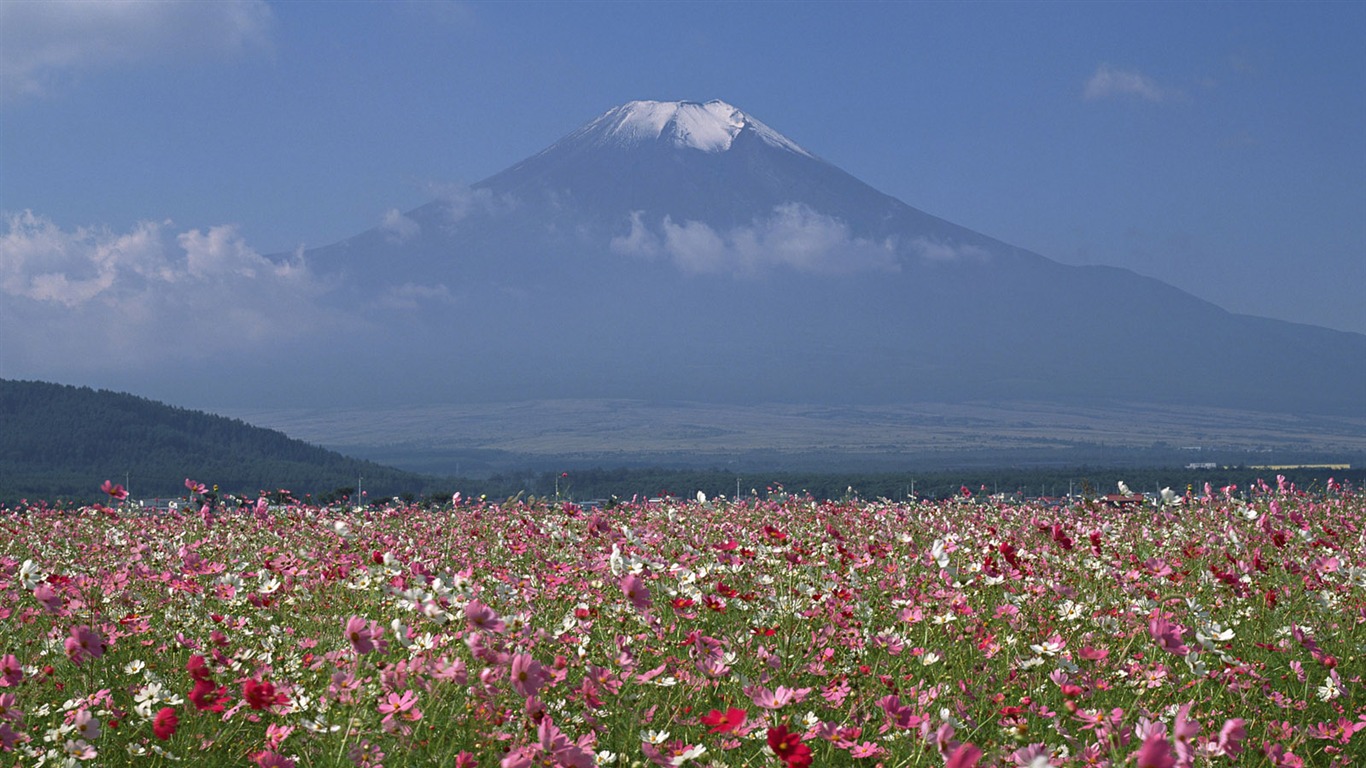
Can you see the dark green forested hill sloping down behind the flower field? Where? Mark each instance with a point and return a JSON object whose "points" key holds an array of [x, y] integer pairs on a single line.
{"points": [[64, 442]]}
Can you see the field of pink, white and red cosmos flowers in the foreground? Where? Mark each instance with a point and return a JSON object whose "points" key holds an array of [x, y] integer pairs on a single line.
{"points": [[1226, 628]]}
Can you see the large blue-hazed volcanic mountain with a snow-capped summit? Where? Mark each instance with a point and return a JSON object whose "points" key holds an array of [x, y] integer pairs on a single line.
{"points": [[689, 252]]}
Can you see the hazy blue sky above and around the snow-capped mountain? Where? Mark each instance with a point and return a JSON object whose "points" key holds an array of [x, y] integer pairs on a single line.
{"points": [[1221, 148]]}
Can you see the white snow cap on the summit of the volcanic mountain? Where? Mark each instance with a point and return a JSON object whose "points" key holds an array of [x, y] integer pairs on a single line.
{"points": [[686, 125]]}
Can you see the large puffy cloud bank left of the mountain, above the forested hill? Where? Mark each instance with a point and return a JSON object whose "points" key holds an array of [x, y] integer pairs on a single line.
{"points": [[94, 297]]}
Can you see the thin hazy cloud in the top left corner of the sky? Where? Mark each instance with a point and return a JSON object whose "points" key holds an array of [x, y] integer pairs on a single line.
{"points": [[46, 42]]}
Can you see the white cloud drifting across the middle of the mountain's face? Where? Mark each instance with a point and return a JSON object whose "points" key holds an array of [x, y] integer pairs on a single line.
{"points": [[796, 237]]}
